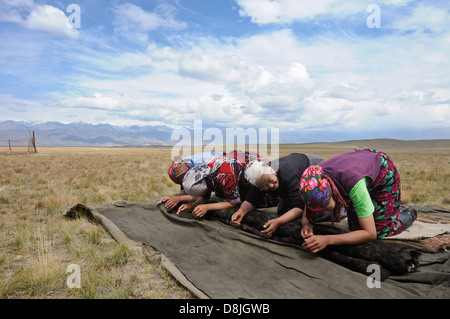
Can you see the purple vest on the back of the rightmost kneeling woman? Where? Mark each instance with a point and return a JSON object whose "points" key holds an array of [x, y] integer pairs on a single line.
{"points": [[347, 169]]}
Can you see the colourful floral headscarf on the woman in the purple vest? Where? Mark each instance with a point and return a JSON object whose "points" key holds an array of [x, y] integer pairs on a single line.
{"points": [[315, 189]]}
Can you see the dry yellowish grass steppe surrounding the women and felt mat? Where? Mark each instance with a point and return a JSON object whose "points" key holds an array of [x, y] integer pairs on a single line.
{"points": [[38, 243]]}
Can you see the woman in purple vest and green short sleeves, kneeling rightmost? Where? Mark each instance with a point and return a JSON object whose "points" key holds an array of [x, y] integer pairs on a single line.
{"points": [[364, 182]]}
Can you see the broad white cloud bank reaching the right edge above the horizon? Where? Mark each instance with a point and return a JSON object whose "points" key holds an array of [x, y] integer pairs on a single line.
{"points": [[352, 85]]}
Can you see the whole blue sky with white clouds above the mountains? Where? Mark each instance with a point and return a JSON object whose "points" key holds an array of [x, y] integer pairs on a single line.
{"points": [[322, 70]]}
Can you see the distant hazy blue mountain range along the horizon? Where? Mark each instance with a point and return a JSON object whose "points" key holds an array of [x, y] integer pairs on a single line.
{"points": [[86, 134]]}
